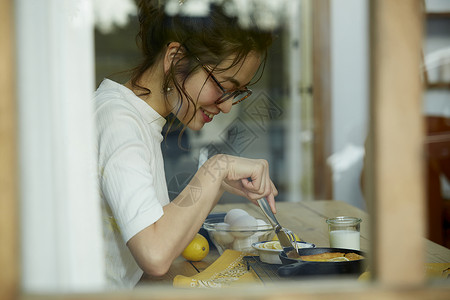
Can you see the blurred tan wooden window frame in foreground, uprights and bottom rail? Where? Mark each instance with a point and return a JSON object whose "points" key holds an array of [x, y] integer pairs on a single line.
{"points": [[396, 36]]}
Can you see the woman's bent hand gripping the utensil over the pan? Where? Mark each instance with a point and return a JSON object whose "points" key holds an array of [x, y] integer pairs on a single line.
{"points": [[245, 177]]}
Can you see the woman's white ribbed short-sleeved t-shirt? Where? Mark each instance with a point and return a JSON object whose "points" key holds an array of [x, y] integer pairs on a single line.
{"points": [[131, 175]]}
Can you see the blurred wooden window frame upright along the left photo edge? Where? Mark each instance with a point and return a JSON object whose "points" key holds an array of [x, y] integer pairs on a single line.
{"points": [[9, 233]]}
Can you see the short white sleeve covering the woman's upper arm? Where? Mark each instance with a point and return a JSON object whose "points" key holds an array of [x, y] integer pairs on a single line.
{"points": [[126, 178]]}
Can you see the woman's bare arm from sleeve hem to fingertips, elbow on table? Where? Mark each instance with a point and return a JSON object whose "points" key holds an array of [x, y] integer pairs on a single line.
{"points": [[156, 246]]}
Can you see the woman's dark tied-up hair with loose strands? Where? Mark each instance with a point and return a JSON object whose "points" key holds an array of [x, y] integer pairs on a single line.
{"points": [[209, 39]]}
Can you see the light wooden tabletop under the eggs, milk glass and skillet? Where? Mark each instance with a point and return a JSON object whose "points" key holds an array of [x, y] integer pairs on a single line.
{"points": [[307, 220]]}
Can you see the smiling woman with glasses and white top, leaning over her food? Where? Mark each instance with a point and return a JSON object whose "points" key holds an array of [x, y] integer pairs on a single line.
{"points": [[193, 68]]}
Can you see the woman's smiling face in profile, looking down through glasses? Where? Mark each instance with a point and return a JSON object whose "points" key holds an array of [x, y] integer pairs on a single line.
{"points": [[204, 91]]}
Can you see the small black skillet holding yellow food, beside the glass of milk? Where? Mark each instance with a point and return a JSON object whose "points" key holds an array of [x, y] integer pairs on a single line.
{"points": [[298, 267]]}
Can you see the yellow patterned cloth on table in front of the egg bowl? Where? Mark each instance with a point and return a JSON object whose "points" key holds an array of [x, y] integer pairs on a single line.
{"points": [[227, 271]]}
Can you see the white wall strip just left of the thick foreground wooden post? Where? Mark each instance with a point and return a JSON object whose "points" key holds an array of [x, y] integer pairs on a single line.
{"points": [[350, 95]]}
